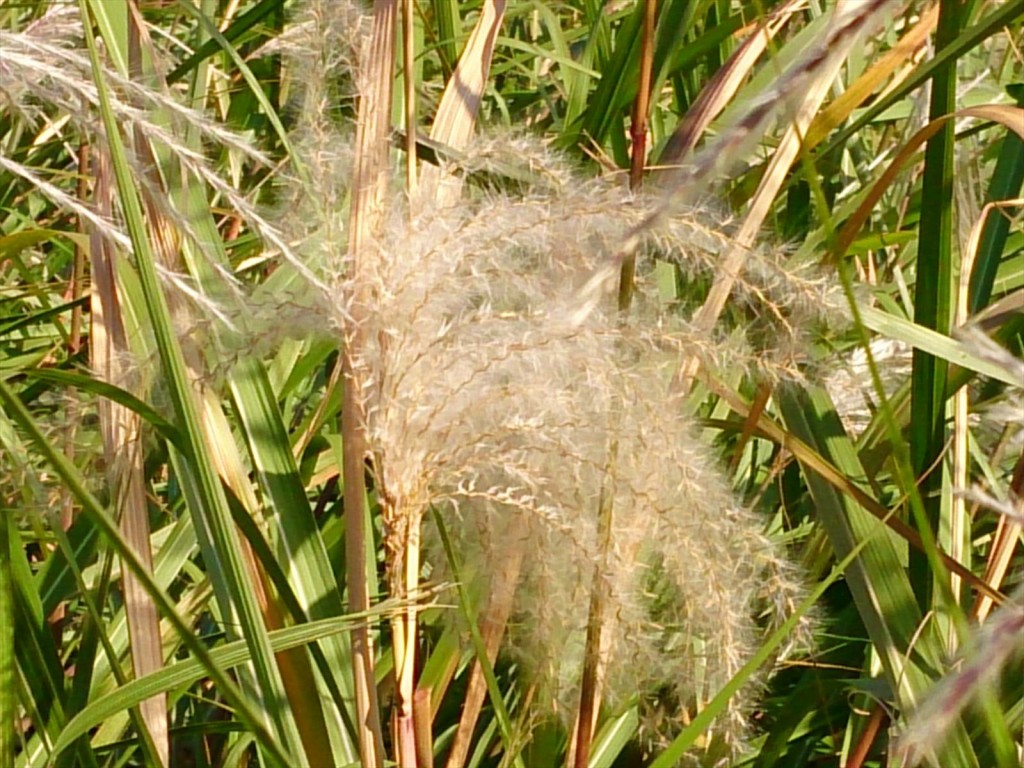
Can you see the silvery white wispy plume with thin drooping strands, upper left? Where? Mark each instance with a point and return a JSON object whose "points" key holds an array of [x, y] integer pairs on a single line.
{"points": [[46, 79]]}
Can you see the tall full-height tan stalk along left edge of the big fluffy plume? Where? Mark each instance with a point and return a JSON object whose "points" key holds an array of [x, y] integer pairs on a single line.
{"points": [[370, 183]]}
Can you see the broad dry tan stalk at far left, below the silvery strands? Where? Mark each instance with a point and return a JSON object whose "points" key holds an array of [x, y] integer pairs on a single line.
{"points": [[111, 359]]}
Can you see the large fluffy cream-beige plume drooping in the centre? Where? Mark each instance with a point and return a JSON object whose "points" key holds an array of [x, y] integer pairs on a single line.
{"points": [[495, 391]]}
